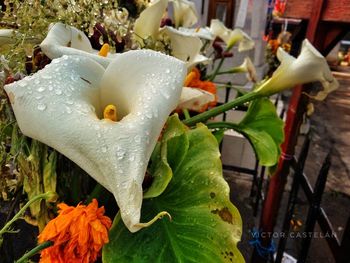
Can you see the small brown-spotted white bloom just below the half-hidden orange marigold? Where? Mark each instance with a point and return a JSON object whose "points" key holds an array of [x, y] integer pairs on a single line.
{"points": [[194, 99]]}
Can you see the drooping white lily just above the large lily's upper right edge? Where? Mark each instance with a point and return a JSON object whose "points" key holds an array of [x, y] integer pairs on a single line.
{"points": [[185, 47]]}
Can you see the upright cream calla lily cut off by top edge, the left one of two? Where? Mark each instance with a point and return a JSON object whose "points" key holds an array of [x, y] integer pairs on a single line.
{"points": [[148, 23]]}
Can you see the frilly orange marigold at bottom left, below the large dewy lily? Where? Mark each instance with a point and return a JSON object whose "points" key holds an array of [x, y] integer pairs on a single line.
{"points": [[78, 234]]}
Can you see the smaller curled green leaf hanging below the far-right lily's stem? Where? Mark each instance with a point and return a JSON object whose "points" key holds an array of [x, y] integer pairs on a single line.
{"points": [[264, 129]]}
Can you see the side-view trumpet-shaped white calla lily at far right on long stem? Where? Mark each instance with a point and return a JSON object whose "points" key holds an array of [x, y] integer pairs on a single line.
{"points": [[310, 66]]}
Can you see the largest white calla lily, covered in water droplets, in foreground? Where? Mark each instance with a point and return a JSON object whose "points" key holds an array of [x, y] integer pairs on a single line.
{"points": [[62, 106]]}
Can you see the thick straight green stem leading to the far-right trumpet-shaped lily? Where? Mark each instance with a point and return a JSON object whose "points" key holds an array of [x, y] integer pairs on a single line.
{"points": [[220, 109]]}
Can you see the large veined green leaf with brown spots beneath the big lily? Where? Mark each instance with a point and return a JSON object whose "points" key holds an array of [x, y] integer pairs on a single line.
{"points": [[205, 226]]}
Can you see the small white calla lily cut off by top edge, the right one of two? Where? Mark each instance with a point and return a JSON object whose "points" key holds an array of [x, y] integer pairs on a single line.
{"points": [[185, 13]]}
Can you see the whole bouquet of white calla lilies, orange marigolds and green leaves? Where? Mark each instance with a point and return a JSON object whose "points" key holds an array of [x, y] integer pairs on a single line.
{"points": [[108, 91]]}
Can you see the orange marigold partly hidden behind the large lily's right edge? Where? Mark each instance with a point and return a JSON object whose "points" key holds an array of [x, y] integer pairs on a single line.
{"points": [[193, 80]]}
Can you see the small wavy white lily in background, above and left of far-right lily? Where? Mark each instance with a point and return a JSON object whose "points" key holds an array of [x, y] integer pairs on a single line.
{"points": [[231, 37]]}
